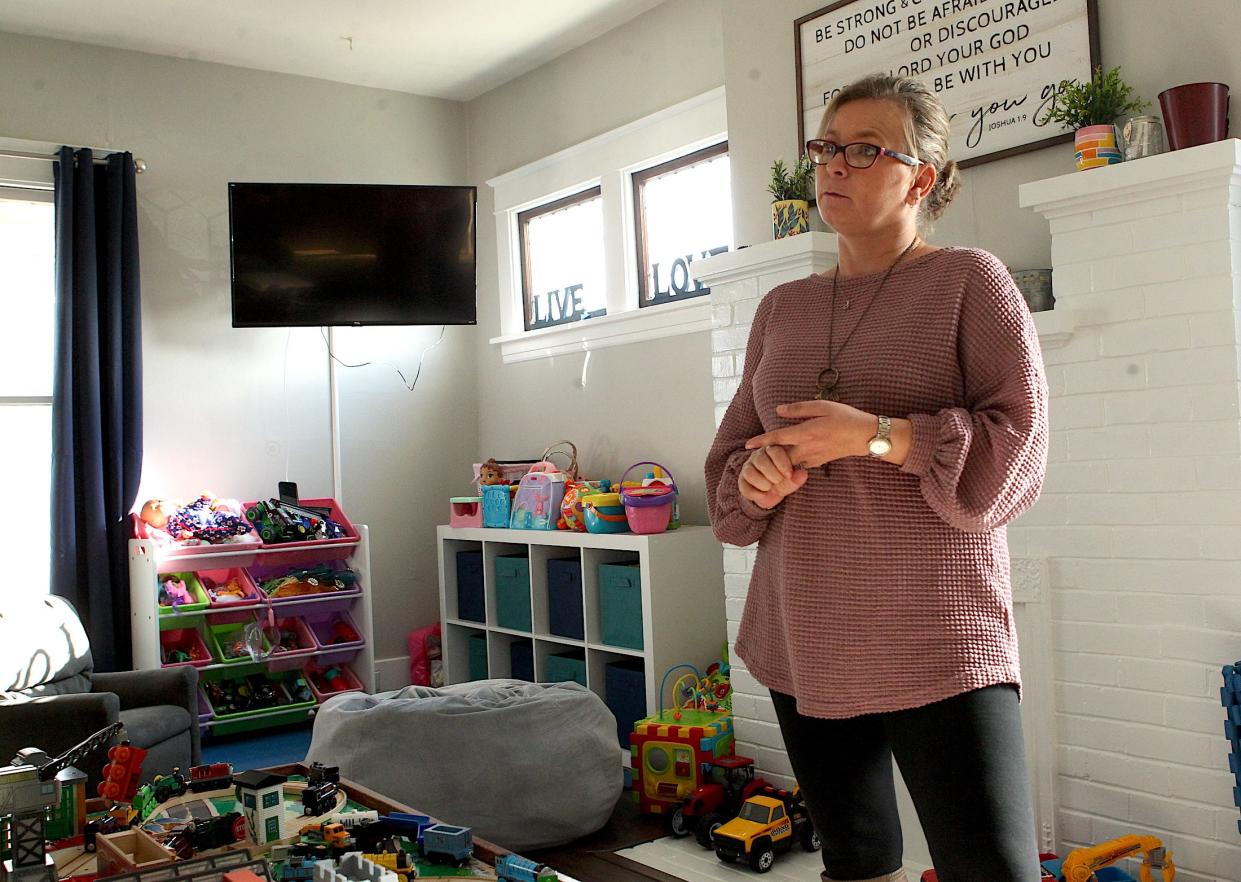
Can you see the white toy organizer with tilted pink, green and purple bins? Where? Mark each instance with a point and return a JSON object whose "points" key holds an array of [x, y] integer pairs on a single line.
{"points": [[328, 637]]}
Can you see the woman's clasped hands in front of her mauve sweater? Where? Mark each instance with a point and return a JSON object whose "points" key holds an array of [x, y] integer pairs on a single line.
{"points": [[781, 460]]}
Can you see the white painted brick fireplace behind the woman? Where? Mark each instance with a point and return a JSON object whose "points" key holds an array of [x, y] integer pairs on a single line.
{"points": [[1127, 572]]}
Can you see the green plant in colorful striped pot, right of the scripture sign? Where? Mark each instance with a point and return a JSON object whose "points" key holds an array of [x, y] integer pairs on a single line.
{"points": [[1091, 110]]}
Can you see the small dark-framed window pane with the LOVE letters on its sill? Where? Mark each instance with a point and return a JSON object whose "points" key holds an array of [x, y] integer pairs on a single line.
{"points": [[683, 210]]}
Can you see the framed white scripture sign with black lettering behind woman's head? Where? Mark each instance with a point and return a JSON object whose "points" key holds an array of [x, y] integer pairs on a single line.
{"points": [[995, 64]]}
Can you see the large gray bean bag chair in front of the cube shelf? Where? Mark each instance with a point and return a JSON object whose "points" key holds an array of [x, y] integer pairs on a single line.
{"points": [[527, 766]]}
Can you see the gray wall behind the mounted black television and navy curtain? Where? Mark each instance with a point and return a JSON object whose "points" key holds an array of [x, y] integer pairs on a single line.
{"points": [[219, 416]]}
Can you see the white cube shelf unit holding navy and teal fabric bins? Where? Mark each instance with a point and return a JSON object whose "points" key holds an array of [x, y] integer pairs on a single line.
{"points": [[681, 590]]}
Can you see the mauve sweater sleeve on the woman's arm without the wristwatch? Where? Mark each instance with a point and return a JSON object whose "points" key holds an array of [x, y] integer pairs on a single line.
{"points": [[735, 519]]}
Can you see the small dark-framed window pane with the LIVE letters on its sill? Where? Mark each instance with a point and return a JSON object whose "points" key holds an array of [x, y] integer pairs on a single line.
{"points": [[563, 260]]}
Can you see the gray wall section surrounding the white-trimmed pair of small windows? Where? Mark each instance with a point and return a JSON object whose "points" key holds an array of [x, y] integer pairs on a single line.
{"points": [[643, 401]]}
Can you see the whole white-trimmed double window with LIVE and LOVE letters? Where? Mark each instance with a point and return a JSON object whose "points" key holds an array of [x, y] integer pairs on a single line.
{"points": [[571, 255]]}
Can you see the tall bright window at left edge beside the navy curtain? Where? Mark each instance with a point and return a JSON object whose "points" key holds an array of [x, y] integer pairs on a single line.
{"points": [[28, 305]]}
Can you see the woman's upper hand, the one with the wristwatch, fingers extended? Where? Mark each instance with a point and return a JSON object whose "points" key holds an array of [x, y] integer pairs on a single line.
{"points": [[830, 431]]}
